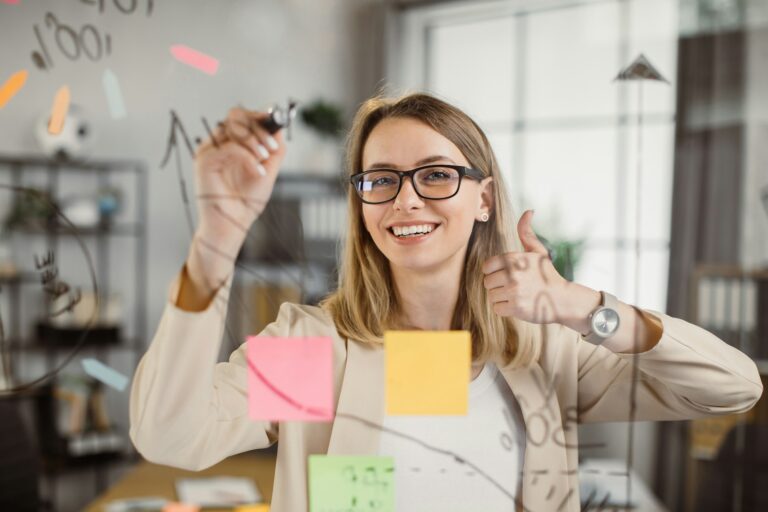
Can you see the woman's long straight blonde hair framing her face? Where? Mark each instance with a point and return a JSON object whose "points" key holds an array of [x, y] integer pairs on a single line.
{"points": [[365, 303]]}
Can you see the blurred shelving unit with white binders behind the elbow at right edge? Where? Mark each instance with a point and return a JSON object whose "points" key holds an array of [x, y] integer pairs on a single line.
{"points": [[732, 303]]}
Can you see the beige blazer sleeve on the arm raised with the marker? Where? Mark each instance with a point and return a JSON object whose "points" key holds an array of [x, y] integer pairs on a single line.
{"points": [[185, 409]]}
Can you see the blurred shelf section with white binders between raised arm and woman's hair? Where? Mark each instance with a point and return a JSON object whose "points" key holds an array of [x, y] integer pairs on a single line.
{"points": [[291, 250]]}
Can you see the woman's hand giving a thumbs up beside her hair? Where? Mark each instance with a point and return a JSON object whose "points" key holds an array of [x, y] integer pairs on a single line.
{"points": [[525, 285]]}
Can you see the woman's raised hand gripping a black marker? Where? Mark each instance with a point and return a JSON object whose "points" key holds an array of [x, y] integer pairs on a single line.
{"points": [[235, 173]]}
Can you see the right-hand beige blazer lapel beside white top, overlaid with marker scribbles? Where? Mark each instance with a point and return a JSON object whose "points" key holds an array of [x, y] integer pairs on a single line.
{"points": [[545, 481]]}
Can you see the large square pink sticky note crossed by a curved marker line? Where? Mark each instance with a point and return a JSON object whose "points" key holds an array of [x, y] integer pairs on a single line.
{"points": [[290, 379]]}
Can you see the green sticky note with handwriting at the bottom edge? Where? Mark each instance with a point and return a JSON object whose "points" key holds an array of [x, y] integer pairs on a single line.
{"points": [[353, 483]]}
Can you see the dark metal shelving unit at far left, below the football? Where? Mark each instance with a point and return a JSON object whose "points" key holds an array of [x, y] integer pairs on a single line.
{"points": [[51, 176]]}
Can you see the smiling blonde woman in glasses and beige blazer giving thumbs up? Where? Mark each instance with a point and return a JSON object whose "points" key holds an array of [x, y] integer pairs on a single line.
{"points": [[430, 245]]}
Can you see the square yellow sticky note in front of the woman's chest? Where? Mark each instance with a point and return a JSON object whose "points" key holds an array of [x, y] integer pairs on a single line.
{"points": [[427, 372]]}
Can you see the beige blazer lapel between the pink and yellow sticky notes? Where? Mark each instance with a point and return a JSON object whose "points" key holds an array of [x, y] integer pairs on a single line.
{"points": [[360, 409]]}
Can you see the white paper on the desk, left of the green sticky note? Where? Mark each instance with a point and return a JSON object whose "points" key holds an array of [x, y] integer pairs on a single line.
{"points": [[217, 491]]}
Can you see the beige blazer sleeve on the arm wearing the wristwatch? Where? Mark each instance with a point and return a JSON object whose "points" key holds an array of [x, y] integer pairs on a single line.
{"points": [[689, 373]]}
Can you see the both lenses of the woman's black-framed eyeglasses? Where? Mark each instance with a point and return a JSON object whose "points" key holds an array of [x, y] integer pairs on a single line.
{"points": [[430, 183]]}
